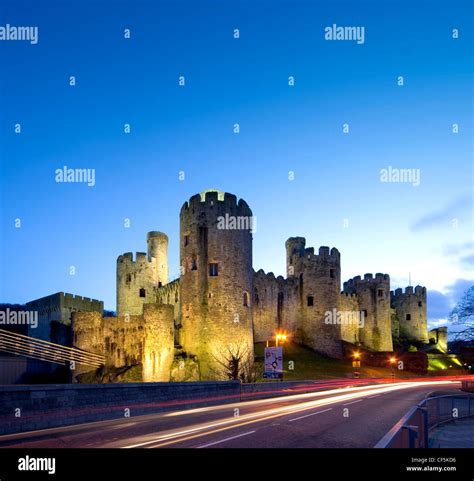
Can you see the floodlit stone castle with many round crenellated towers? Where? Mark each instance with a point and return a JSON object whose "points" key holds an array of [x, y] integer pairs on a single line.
{"points": [[219, 306]]}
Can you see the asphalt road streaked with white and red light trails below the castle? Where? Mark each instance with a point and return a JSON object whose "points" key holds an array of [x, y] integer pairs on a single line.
{"points": [[353, 416]]}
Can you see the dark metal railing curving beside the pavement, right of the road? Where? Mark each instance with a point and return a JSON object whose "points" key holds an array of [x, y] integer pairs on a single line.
{"points": [[412, 431]]}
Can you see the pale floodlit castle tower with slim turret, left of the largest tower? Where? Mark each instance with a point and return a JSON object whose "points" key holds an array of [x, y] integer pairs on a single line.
{"points": [[138, 279]]}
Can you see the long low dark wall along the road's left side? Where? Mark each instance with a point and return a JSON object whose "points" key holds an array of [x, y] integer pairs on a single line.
{"points": [[46, 406]]}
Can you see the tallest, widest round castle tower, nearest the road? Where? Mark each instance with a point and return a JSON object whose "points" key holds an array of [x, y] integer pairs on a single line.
{"points": [[216, 281]]}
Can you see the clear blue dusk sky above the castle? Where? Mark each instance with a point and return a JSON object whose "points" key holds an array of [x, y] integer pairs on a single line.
{"points": [[336, 198]]}
